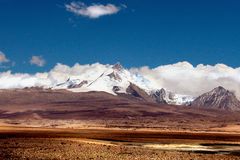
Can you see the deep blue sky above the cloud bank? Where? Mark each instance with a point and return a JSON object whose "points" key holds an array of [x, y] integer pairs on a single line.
{"points": [[147, 32]]}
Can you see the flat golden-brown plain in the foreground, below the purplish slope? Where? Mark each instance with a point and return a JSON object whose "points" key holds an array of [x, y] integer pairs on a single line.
{"points": [[40, 143]]}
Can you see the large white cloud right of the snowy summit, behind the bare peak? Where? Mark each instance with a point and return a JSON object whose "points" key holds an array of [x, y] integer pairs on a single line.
{"points": [[184, 78]]}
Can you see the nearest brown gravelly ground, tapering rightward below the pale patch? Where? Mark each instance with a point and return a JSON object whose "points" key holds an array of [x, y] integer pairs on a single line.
{"points": [[63, 149]]}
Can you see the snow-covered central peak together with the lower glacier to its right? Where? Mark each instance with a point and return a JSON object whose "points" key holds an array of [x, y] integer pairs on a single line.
{"points": [[115, 79]]}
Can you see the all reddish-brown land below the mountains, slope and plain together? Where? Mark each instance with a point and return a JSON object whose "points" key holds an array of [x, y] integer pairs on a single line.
{"points": [[47, 124]]}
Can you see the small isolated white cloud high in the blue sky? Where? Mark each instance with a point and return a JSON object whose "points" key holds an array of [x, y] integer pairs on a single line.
{"points": [[92, 11]]}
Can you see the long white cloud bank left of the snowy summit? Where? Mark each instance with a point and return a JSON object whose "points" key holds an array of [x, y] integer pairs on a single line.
{"points": [[60, 73]]}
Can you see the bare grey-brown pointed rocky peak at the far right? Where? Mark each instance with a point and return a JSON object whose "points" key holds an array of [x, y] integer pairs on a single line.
{"points": [[218, 98]]}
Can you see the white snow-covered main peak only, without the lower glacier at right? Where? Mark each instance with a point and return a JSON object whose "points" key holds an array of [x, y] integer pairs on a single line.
{"points": [[114, 76]]}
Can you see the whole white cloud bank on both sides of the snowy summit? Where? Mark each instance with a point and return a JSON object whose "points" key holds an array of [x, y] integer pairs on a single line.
{"points": [[181, 77]]}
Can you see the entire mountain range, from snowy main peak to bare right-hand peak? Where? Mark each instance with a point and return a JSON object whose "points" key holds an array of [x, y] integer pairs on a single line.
{"points": [[120, 82]]}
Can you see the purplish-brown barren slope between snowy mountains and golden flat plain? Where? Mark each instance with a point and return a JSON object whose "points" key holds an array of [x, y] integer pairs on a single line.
{"points": [[106, 109]]}
